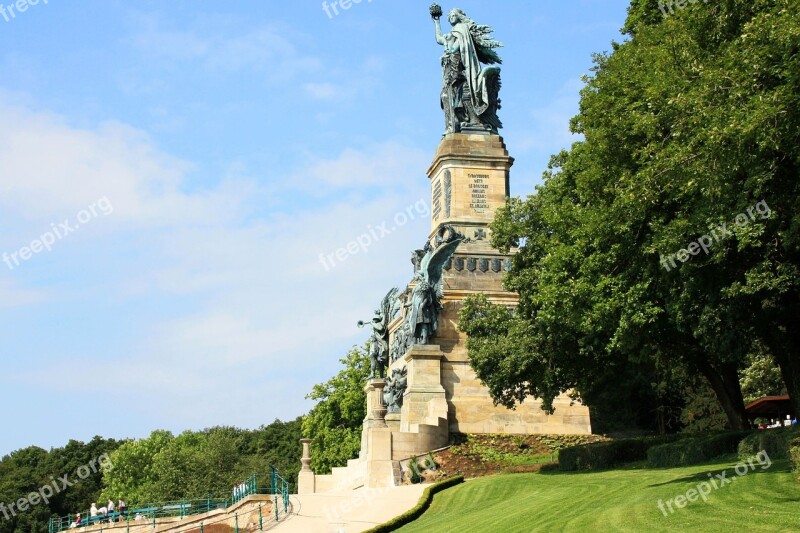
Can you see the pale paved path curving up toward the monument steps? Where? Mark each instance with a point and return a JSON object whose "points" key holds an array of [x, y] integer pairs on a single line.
{"points": [[348, 512]]}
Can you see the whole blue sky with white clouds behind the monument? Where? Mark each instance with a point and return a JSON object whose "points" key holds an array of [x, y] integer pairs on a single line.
{"points": [[187, 162]]}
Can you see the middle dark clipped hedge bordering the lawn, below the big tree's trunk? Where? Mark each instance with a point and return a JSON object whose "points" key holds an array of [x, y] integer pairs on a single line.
{"points": [[696, 449]]}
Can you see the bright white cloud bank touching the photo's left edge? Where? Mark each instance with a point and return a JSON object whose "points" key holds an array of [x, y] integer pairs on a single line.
{"points": [[51, 170]]}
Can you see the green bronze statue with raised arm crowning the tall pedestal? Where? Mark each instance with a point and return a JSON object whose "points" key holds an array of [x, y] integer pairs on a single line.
{"points": [[470, 91]]}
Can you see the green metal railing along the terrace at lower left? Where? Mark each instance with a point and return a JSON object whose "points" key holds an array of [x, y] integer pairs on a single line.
{"points": [[152, 512]]}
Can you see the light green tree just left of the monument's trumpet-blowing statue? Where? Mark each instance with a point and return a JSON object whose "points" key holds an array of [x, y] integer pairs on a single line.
{"points": [[335, 422]]}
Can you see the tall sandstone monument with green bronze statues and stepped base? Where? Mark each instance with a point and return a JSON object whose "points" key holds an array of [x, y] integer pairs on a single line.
{"points": [[422, 387]]}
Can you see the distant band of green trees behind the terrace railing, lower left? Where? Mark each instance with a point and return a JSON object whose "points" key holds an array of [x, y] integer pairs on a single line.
{"points": [[159, 468]]}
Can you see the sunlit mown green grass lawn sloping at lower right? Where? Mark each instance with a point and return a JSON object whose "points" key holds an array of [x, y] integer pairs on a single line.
{"points": [[619, 500]]}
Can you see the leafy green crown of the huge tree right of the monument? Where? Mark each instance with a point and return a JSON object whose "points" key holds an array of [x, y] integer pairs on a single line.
{"points": [[692, 121]]}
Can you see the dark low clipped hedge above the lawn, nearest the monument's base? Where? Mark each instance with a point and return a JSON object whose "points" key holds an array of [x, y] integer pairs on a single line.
{"points": [[609, 454]]}
